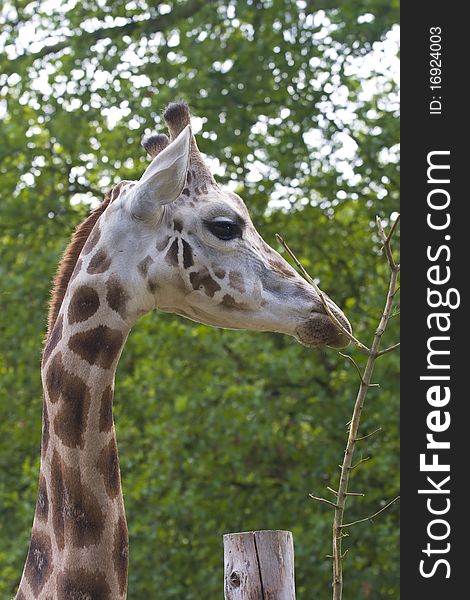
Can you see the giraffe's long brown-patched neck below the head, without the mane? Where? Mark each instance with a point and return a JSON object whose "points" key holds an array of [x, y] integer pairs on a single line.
{"points": [[79, 541]]}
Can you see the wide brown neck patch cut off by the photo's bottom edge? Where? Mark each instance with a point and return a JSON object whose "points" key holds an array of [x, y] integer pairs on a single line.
{"points": [[81, 584]]}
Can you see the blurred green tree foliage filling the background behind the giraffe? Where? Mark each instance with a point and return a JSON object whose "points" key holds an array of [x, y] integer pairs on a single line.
{"points": [[218, 431]]}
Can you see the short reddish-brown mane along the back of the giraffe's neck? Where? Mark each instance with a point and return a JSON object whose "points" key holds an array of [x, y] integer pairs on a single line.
{"points": [[69, 260]]}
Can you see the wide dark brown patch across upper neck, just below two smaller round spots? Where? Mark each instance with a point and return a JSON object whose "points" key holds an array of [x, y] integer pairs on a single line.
{"points": [[99, 346]]}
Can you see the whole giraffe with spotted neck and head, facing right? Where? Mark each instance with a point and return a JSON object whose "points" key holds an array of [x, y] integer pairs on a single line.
{"points": [[172, 241]]}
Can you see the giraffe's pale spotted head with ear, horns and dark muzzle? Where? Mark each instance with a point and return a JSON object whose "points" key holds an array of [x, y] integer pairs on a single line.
{"points": [[181, 244]]}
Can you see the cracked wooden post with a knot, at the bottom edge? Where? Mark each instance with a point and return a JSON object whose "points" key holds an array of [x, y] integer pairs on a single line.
{"points": [[259, 565]]}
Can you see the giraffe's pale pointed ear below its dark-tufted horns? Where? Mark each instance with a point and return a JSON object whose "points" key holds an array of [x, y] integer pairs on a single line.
{"points": [[164, 179]]}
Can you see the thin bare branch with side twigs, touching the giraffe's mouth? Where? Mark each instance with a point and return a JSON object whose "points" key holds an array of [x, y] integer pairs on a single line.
{"points": [[373, 353]]}
